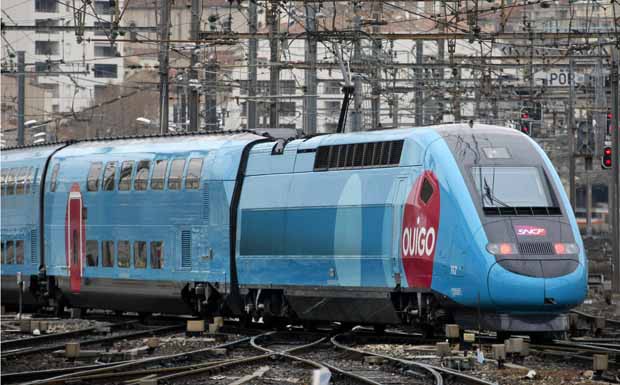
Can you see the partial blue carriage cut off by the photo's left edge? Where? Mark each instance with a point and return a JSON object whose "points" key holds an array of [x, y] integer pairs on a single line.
{"points": [[22, 173]]}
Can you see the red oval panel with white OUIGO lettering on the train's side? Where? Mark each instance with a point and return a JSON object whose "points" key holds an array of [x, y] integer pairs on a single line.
{"points": [[420, 230]]}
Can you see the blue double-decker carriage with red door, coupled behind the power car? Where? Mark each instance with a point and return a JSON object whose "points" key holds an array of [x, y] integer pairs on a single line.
{"points": [[141, 224]]}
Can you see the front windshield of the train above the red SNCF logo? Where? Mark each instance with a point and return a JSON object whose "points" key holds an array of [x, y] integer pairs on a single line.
{"points": [[512, 187]]}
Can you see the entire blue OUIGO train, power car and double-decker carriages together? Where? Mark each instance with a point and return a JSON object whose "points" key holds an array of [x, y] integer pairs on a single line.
{"points": [[423, 226]]}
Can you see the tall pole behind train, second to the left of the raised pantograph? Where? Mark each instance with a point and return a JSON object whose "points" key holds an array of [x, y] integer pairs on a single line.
{"points": [[274, 65]]}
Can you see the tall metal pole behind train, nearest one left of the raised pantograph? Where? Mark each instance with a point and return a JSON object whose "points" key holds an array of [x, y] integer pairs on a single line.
{"points": [[310, 89]]}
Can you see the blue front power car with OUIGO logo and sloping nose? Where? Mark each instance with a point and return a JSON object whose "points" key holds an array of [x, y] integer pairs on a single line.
{"points": [[417, 226]]}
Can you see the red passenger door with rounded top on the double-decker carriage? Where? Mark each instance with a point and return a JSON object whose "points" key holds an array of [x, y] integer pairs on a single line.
{"points": [[74, 237]]}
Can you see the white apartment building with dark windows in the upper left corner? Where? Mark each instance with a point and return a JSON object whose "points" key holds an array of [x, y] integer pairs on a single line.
{"points": [[73, 72]]}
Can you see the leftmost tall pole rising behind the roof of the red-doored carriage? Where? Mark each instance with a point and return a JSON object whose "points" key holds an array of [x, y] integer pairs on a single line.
{"points": [[164, 33]]}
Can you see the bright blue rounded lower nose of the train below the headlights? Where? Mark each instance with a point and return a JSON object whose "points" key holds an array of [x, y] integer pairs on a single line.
{"points": [[520, 291]]}
